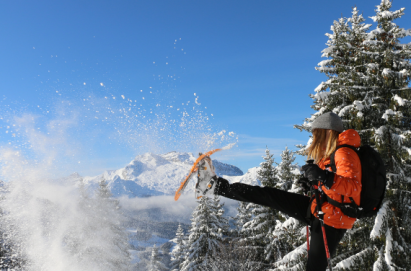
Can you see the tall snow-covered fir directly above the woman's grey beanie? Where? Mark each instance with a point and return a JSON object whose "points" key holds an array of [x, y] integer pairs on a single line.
{"points": [[345, 67]]}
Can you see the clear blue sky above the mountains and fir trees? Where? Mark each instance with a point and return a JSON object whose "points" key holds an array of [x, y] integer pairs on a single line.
{"points": [[245, 67]]}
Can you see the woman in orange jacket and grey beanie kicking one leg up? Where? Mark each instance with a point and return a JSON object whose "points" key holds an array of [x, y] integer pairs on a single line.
{"points": [[340, 186]]}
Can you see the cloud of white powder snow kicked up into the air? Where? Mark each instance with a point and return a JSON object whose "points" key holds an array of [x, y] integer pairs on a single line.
{"points": [[46, 218]]}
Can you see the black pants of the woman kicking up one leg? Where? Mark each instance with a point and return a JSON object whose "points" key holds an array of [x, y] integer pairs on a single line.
{"points": [[294, 205]]}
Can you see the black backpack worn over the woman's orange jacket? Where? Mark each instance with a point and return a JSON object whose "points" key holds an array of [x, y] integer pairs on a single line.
{"points": [[373, 181]]}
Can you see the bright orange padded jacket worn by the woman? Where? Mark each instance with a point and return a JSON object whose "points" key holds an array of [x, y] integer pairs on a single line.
{"points": [[347, 181]]}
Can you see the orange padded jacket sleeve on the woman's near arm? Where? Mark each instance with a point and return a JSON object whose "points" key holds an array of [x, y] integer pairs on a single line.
{"points": [[347, 179]]}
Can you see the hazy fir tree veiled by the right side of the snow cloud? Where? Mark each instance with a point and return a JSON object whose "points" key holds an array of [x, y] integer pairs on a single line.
{"points": [[99, 239]]}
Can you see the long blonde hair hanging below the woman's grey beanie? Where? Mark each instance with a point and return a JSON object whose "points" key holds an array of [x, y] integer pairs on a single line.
{"points": [[315, 150]]}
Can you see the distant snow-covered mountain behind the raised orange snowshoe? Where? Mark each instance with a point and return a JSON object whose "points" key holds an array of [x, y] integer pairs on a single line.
{"points": [[151, 175]]}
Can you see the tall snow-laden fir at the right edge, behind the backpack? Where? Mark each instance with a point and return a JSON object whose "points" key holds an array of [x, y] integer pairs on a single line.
{"points": [[389, 130]]}
